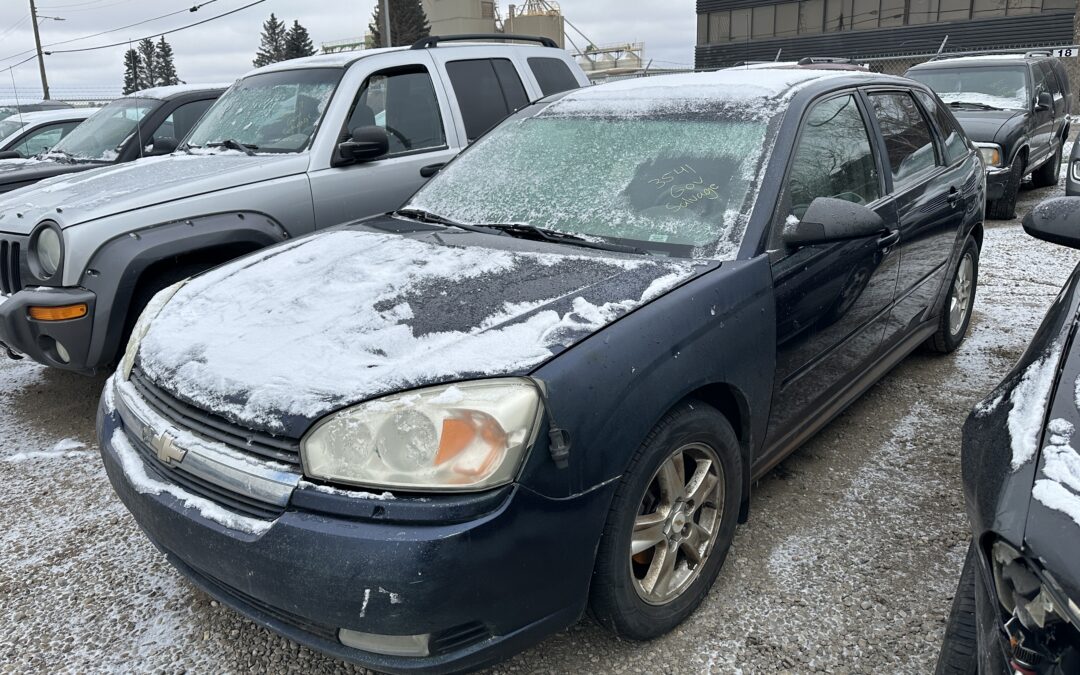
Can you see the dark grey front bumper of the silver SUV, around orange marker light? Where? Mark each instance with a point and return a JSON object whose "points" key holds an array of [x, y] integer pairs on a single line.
{"points": [[38, 340]]}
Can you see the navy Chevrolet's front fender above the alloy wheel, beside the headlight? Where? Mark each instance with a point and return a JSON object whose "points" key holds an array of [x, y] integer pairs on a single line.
{"points": [[612, 389]]}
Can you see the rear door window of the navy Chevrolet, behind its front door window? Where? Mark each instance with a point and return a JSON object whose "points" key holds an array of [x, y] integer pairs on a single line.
{"points": [[908, 139]]}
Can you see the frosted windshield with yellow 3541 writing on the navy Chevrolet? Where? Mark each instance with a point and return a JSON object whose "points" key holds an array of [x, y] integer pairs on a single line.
{"points": [[673, 183]]}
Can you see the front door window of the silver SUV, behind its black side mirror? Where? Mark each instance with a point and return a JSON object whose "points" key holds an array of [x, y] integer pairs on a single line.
{"points": [[404, 104]]}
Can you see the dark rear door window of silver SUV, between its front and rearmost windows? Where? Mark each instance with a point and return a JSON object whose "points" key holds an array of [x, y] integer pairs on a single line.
{"points": [[488, 90]]}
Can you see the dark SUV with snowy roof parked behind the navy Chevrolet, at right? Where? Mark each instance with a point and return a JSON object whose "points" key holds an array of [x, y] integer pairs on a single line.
{"points": [[1016, 109]]}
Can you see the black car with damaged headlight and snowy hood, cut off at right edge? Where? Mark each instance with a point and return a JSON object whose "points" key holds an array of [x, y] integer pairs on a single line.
{"points": [[1018, 605]]}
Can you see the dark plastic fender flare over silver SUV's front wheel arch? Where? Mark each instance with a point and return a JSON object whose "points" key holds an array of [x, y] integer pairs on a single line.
{"points": [[116, 267]]}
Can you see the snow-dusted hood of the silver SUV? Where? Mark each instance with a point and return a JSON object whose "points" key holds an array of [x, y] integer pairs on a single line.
{"points": [[91, 195]]}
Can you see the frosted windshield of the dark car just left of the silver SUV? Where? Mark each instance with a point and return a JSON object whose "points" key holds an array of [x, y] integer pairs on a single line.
{"points": [[103, 136]]}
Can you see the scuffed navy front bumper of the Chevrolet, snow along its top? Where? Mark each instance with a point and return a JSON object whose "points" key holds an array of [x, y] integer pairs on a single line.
{"points": [[484, 585]]}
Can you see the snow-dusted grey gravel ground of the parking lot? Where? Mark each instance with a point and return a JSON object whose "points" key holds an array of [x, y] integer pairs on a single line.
{"points": [[848, 564]]}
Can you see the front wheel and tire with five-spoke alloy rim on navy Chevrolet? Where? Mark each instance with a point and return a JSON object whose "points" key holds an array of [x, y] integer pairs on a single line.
{"points": [[671, 524]]}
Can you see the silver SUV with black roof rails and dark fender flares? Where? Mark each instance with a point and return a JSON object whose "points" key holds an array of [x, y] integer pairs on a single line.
{"points": [[290, 148]]}
